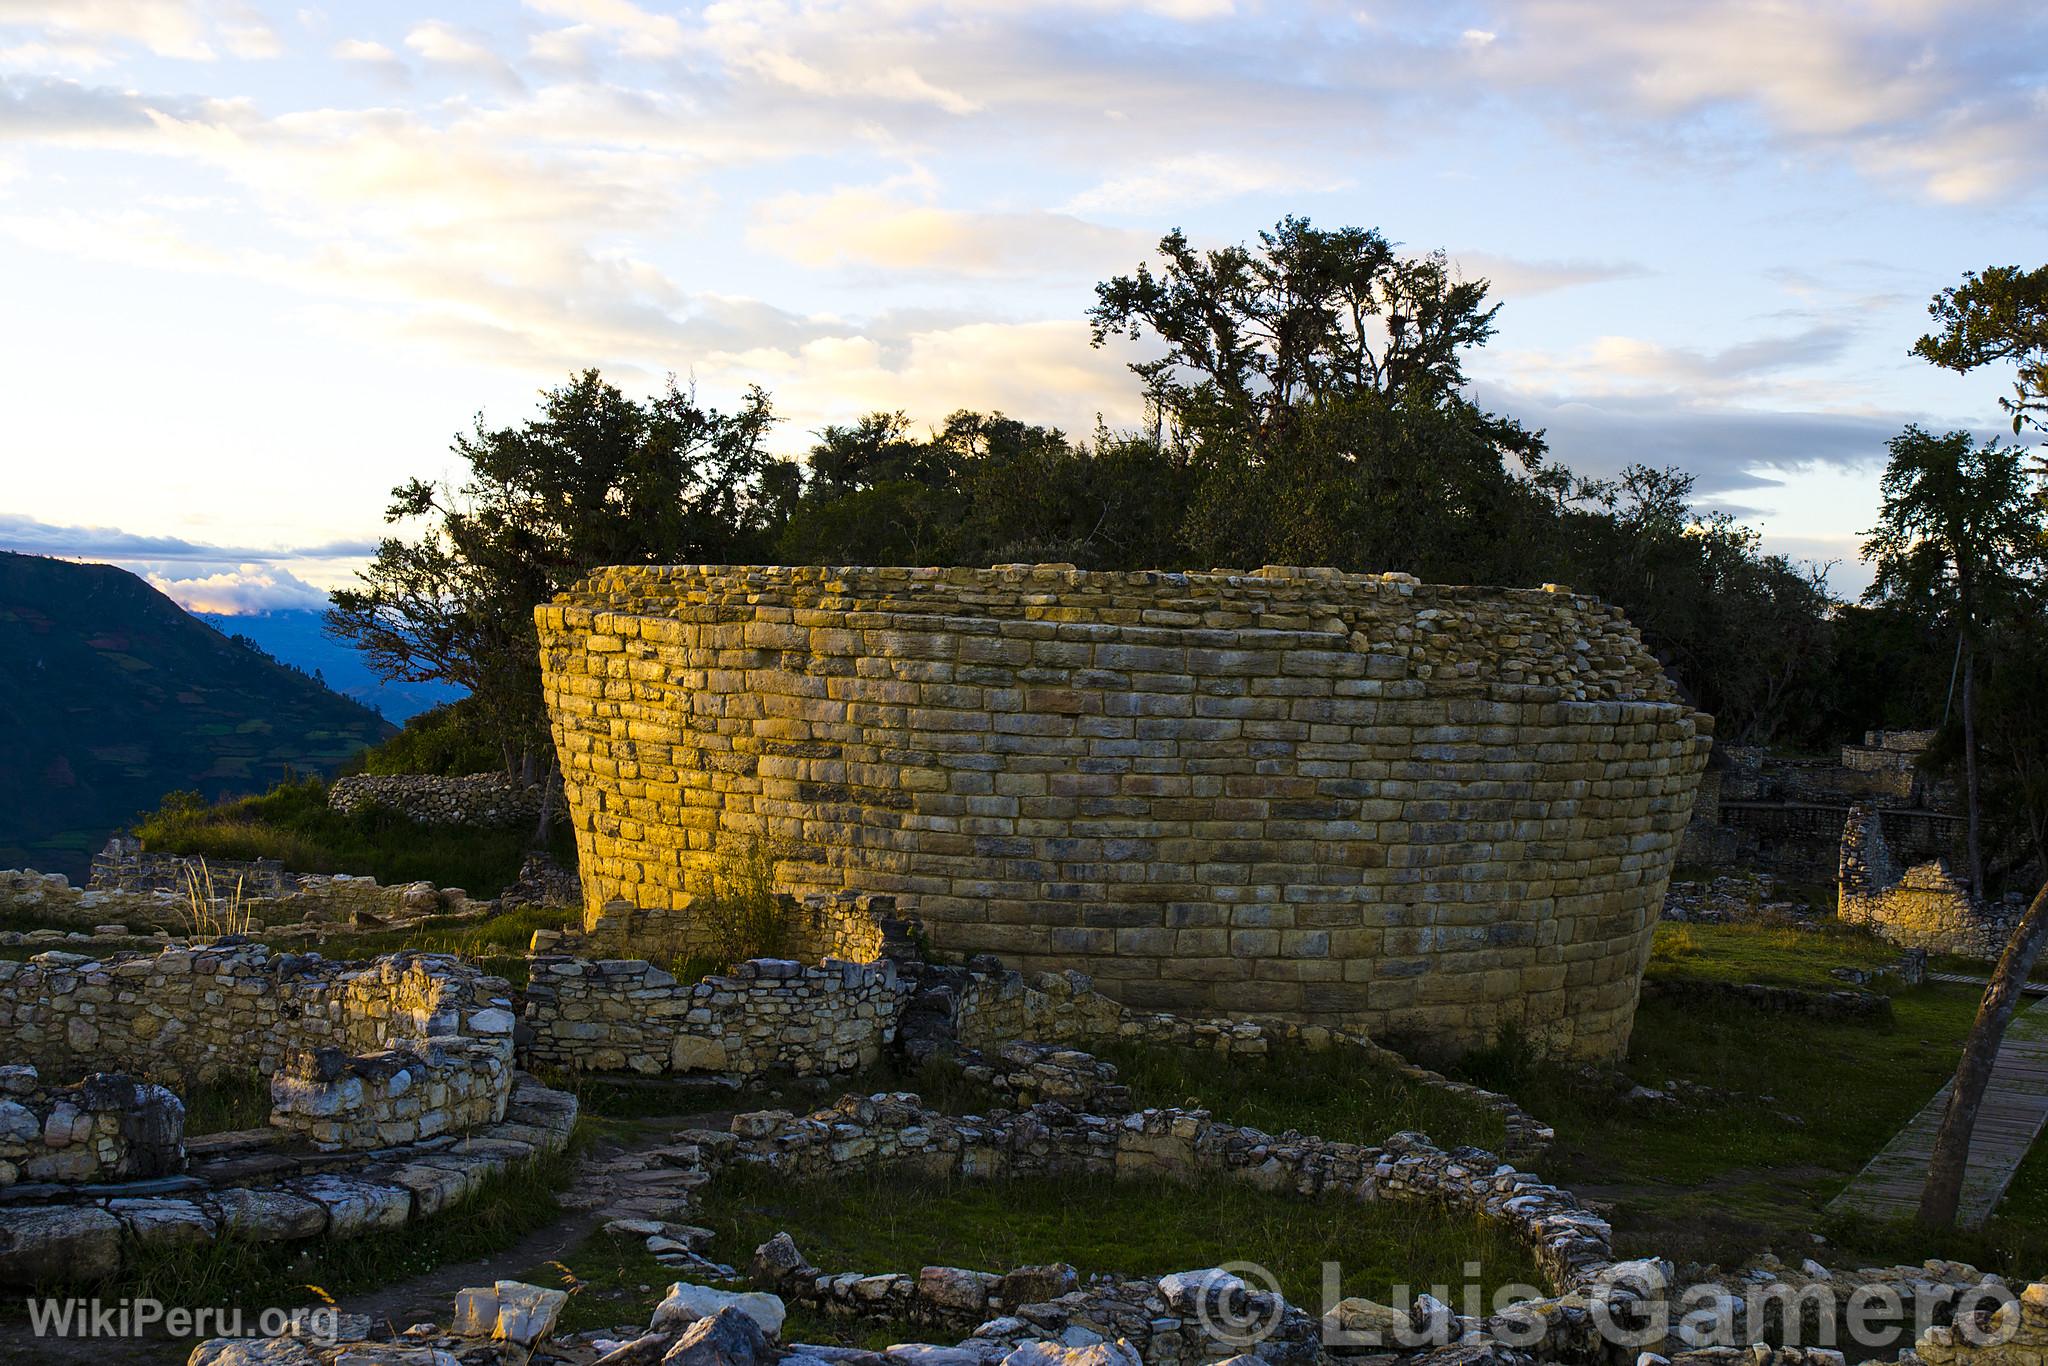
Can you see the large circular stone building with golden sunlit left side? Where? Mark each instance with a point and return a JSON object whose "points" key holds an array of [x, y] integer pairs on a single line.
{"points": [[1345, 800]]}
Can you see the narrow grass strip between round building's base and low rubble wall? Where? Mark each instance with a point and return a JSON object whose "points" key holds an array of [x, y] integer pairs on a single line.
{"points": [[1328, 1093]]}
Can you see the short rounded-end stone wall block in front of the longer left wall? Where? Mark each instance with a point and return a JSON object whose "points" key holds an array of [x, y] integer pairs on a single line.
{"points": [[388, 1099]]}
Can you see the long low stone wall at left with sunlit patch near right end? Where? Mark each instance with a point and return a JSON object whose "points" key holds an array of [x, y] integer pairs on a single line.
{"points": [[237, 1007]]}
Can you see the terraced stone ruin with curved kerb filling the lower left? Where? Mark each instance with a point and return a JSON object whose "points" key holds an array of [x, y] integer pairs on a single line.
{"points": [[392, 1097]]}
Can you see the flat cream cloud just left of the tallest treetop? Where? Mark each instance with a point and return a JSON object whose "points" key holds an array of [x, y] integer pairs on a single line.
{"points": [[876, 228]]}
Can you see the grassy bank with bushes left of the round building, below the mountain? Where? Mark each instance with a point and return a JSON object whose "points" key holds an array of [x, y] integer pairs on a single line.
{"points": [[294, 824]]}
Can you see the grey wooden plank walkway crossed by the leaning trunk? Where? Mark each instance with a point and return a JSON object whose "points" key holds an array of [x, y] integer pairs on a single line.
{"points": [[2012, 1117]]}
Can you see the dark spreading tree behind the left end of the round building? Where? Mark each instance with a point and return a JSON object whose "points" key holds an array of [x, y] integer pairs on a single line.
{"points": [[595, 480]]}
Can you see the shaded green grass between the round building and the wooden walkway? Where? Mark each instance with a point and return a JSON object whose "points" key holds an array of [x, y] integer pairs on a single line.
{"points": [[1803, 1107]]}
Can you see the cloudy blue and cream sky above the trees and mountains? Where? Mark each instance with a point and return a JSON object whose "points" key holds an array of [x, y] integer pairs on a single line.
{"points": [[261, 261]]}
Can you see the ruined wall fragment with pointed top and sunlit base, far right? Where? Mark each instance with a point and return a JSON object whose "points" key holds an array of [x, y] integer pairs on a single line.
{"points": [[1924, 906]]}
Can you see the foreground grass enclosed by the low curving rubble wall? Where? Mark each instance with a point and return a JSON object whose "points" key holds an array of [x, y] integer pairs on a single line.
{"points": [[896, 1222]]}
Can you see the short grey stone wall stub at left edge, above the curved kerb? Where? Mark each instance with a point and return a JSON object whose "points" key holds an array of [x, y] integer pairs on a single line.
{"points": [[103, 1129]]}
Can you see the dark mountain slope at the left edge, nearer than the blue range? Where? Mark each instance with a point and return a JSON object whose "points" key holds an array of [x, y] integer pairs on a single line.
{"points": [[112, 695]]}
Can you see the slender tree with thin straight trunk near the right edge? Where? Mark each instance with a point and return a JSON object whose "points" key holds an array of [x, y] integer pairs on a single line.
{"points": [[1959, 536]]}
